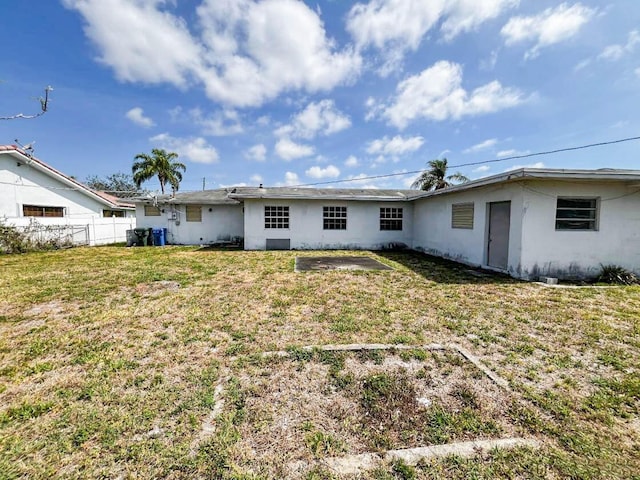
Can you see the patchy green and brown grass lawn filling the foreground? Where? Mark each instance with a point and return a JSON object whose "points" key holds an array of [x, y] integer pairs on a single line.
{"points": [[111, 361]]}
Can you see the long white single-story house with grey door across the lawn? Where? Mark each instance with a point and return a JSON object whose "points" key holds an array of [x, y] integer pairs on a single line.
{"points": [[526, 222]]}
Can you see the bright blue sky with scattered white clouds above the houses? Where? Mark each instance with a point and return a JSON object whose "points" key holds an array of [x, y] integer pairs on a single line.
{"points": [[291, 92]]}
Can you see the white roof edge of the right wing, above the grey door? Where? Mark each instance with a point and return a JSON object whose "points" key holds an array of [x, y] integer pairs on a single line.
{"points": [[541, 173]]}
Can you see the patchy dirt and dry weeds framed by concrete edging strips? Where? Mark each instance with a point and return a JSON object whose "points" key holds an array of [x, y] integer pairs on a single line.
{"points": [[313, 405]]}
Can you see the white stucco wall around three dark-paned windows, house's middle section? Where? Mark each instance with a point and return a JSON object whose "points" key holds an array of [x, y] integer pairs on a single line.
{"points": [[306, 225]]}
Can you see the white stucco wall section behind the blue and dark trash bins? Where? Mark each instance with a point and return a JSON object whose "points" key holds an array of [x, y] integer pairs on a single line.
{"points": [[219, 223]]}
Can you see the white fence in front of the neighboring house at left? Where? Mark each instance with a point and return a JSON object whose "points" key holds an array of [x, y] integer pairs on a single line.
{"points": [[87, 231]]}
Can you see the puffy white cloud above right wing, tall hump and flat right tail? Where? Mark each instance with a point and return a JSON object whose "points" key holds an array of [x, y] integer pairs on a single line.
{"points": [[436, 94]]}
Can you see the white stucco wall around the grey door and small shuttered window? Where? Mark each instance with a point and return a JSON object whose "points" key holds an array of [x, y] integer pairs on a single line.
{"points": [[433, 233]]}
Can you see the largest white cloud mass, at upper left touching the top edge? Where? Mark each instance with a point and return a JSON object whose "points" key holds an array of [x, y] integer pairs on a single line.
{"points": [[245, 52]]}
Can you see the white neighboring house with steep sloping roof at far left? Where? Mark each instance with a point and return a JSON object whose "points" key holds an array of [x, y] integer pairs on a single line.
{"points": [[33, 191]]}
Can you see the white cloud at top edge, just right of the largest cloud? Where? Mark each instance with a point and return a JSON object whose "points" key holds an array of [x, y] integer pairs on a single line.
{"points": [[395, 27]]}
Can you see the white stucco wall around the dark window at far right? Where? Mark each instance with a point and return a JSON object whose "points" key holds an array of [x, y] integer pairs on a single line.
{"points": [[579, 254]]}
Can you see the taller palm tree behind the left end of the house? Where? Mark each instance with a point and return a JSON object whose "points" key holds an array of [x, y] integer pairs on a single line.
{"points": [[159, 164]]}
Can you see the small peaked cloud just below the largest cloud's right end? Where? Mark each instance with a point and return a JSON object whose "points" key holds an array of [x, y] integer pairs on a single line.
{"points": [[317, 118]]}
